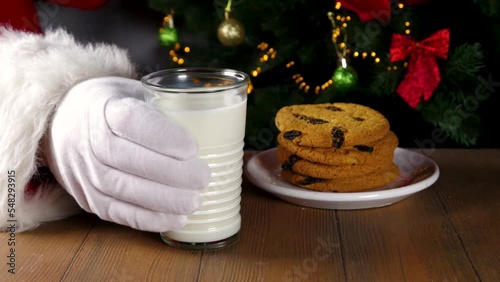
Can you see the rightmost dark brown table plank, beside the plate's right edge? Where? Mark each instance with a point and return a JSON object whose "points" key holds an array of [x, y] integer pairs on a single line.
{"points": [[470, 194]]}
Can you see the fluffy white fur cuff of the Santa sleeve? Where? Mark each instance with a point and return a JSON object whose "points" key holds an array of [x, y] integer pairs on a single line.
{"points": [[35, 72]]}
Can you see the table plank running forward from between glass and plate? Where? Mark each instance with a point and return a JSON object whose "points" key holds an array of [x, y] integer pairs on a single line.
{"points": [[278, 242]]}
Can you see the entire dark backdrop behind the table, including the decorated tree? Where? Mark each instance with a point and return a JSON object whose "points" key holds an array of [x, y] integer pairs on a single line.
{"points": [[293, 51]]}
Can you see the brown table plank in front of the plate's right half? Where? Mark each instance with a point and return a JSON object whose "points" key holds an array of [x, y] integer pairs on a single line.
{"points": [[408, 241]]}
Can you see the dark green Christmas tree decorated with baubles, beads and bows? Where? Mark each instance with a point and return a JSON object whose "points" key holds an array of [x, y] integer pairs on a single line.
{"points": [[402, 58]]}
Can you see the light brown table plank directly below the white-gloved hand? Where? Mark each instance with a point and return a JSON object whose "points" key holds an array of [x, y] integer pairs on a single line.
{"points": [[118, 253]]}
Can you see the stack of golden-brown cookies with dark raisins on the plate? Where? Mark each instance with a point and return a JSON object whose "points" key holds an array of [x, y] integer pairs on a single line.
{"points": [[339, 147]]}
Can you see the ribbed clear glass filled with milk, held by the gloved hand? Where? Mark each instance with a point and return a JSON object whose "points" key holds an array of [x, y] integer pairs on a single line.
{"points": [[211, 104]]}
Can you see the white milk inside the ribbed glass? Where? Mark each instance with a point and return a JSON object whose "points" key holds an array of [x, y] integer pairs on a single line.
{"points": [[219, 132]]}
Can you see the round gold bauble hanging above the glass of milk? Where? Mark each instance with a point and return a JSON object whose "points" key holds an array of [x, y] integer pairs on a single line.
{"points": [[230, 32]]}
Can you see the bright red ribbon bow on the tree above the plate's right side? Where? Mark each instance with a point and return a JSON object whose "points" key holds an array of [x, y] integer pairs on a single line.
{"points": [[423, 75]]}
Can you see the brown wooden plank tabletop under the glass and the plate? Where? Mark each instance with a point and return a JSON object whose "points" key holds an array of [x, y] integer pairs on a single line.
{"points": [[448, 232]]}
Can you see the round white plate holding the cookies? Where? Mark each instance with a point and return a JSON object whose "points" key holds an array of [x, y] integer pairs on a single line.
{"points": [[417, 172]]}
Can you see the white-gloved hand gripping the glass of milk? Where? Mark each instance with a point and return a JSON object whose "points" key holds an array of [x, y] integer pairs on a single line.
{"points": [[122, 160]]}
